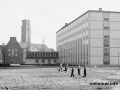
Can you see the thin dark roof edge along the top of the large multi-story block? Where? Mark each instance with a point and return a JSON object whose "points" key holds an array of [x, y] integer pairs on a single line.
{"points": [[84, 14]]}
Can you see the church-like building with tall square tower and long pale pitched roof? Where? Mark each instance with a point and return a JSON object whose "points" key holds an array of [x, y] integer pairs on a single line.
{"points": [[26, 43]]}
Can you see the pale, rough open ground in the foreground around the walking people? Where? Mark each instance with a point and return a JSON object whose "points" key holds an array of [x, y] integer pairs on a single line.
{"points": [[39, 78]]}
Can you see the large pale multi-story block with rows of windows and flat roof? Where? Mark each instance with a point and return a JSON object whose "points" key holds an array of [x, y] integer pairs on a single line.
{"points": [[91, 39]]}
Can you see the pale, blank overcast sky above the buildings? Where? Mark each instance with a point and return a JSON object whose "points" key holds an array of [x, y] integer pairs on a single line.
{"points": [[47, 16]]}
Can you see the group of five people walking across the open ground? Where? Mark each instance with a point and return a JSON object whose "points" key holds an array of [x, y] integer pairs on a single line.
{"points": [[72, 70]]}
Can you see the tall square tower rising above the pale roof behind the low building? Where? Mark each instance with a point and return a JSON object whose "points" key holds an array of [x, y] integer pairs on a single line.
{"points": [[26, 32]]}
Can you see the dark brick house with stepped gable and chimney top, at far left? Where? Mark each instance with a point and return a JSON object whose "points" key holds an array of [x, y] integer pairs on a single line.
{"points": [[12, 52]]}
